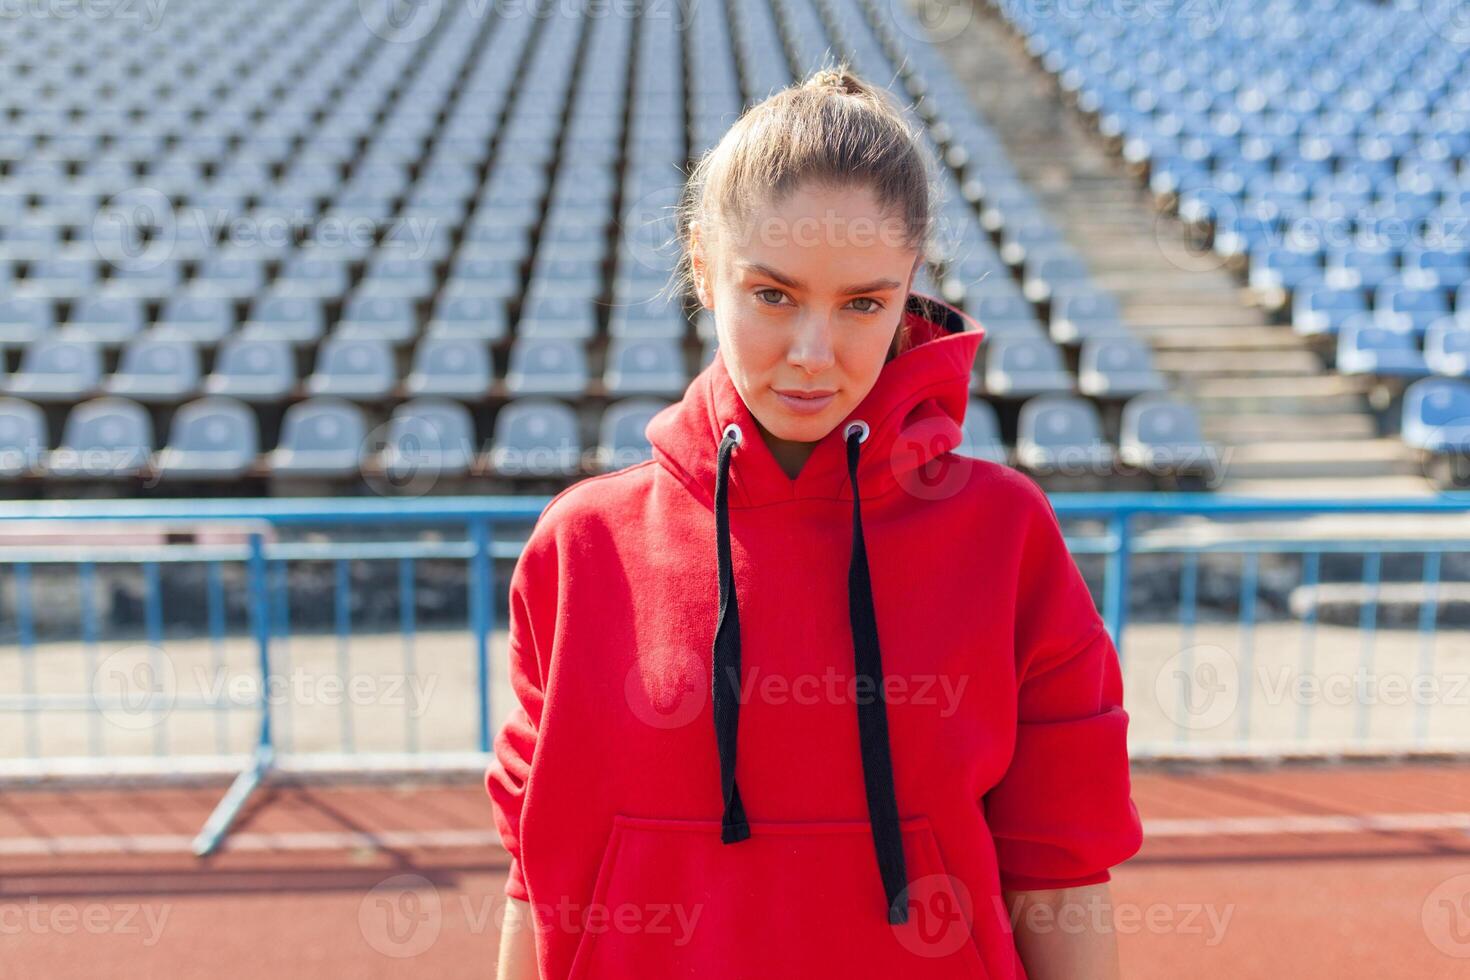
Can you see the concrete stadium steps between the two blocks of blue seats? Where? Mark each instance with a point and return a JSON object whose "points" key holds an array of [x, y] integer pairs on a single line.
{"points": [[1255, 383]]}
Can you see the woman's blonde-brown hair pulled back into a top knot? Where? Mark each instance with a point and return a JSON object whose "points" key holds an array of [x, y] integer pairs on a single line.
{"points": [[831, 129]]}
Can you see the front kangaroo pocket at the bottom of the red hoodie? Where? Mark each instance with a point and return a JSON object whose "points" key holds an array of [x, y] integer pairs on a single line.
{"points": [[793, 901]]}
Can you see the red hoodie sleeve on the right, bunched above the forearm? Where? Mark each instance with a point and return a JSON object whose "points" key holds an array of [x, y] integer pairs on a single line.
{"points": [[1062, 815]]}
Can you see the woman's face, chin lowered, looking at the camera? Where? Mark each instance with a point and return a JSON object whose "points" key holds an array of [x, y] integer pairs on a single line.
{"points": [[806, 300]]}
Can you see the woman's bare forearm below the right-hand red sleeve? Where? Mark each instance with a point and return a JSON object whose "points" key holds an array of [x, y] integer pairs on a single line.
{"points": [[1065, 934]]}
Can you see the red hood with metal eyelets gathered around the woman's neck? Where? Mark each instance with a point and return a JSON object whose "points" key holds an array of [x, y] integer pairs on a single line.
{"points": [[914, 414]]}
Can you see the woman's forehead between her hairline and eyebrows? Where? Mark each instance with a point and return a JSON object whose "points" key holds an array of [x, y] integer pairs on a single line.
{"points": [[821, 236]]}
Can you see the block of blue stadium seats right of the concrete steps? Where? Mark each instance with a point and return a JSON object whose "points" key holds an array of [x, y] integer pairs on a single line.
{"points": [[1321, 146]]}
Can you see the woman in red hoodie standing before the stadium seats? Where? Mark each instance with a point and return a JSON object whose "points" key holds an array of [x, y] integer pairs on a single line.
{"points": [[808, 694]]}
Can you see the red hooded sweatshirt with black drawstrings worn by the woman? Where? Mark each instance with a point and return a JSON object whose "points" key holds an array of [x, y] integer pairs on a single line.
{"points": [[850, 834]]}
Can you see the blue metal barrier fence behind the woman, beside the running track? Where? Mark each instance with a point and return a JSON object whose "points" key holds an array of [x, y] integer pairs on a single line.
{"points": [[1203, 587]]}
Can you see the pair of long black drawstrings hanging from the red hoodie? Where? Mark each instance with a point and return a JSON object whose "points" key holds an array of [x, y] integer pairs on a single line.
{"points": [[872, 715]]}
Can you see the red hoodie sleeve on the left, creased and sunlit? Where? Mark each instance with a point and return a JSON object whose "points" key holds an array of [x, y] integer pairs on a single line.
{"points": [[509, 772]]}
